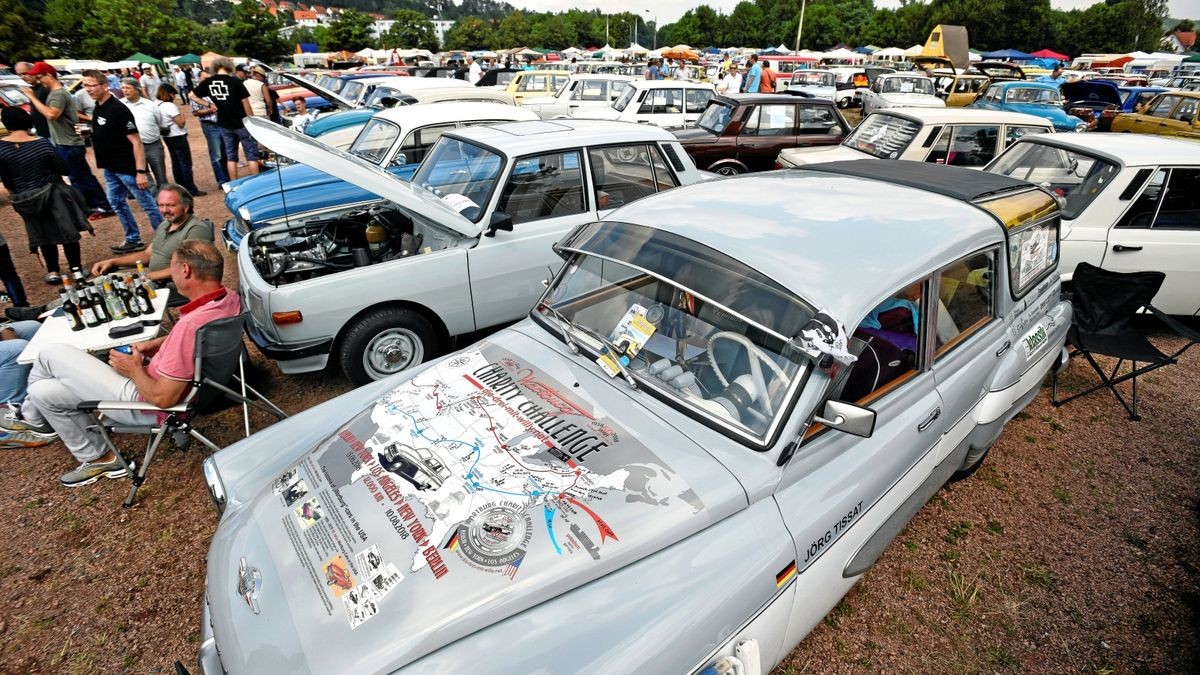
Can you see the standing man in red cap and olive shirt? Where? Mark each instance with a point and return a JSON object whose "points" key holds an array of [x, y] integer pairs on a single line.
{"points": [[59, 111]]}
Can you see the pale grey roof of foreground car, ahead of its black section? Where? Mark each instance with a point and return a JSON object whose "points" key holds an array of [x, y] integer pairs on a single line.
{"points": [[807, 230]]}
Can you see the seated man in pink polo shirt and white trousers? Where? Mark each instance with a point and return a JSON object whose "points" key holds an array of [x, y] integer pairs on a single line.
{"points": [[64, 377]]}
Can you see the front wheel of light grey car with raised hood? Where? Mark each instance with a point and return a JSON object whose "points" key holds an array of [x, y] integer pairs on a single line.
{"points": [[385, 343]]}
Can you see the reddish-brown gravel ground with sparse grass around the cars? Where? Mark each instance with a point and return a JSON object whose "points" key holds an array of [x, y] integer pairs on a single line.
{"points": [[1076, 548]]}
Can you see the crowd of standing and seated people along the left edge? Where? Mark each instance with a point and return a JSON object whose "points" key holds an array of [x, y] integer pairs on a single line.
{"points": [[133, 123]]}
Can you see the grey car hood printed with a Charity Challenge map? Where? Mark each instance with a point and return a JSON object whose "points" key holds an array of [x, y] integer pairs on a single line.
{"points": [[489, 483]]}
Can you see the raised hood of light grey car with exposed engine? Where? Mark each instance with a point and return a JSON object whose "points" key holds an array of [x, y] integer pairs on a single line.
{"points": [[359, 172]]}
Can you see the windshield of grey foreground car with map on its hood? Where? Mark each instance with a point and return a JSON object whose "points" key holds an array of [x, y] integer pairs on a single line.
{"points": [[701, 330]]}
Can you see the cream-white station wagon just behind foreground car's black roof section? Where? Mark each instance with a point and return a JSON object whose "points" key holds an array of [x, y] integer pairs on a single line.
{"points": [[959, 138]]}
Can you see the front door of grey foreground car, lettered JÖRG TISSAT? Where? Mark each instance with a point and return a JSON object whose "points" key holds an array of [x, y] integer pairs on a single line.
{"points": [[835, 480]]}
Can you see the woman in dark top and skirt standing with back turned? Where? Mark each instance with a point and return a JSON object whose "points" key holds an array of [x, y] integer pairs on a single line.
{"points": [[55, 213]]}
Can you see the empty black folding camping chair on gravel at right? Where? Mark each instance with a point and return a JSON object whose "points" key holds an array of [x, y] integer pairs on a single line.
{"points": [[1107, 307]]}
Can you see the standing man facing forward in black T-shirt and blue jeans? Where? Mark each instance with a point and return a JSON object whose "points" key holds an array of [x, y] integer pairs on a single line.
{"points": [[119, 153]]}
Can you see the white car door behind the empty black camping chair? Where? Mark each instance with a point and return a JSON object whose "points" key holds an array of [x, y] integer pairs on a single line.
{"points": [[1161, 231]]}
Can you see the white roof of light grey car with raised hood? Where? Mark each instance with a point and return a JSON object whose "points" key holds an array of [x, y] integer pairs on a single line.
{"points": [[524, 138]]}
